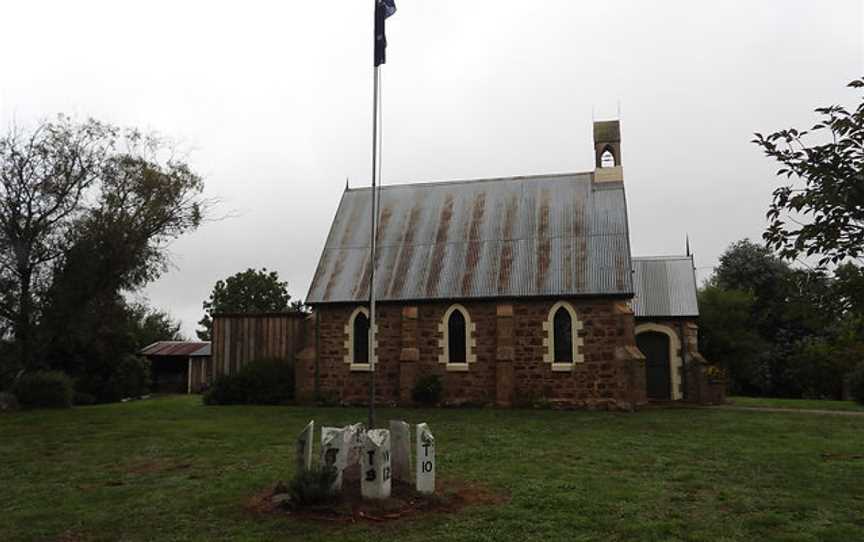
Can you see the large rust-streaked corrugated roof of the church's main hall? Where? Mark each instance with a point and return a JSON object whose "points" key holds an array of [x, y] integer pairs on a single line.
{"points": [[518, 236]]}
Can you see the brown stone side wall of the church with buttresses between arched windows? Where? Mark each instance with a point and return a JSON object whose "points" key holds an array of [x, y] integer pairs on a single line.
{"points": [[507, 340]]}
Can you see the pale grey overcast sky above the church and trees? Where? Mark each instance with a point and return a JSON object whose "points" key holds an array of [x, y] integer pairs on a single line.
{"points": [[272, 102]]}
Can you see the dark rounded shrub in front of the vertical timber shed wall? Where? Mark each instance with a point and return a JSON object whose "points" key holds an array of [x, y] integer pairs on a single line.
{"points": [[263, 382]]}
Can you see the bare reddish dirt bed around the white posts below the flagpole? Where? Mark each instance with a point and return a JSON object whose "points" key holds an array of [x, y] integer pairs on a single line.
{"points": [[451, 497]]}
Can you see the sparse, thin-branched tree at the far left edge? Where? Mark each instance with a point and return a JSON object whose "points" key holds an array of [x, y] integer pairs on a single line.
{"points": [[44, 177]]}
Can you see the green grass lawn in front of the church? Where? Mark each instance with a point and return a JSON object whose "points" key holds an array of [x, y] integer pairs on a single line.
{"points": [[172, 469]]}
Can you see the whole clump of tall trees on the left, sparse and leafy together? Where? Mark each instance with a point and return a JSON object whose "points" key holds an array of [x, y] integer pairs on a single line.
{"points": [[86, 211]]}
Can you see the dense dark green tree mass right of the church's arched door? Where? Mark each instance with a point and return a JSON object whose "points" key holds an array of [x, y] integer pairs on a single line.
{"points": [[780, 330]]}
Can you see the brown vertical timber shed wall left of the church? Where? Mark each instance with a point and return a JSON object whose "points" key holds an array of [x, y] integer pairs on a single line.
{"points": [[242, 338]]}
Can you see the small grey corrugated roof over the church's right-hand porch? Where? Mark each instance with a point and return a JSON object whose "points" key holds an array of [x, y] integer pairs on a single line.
{"points": [[665, 286]]}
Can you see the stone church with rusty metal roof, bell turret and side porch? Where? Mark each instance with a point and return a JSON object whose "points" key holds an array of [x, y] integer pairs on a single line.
{"points": [[514, 291]]}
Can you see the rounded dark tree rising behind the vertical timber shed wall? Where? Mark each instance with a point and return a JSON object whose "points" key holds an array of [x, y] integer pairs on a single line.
{"points": [[250, 291]]}
